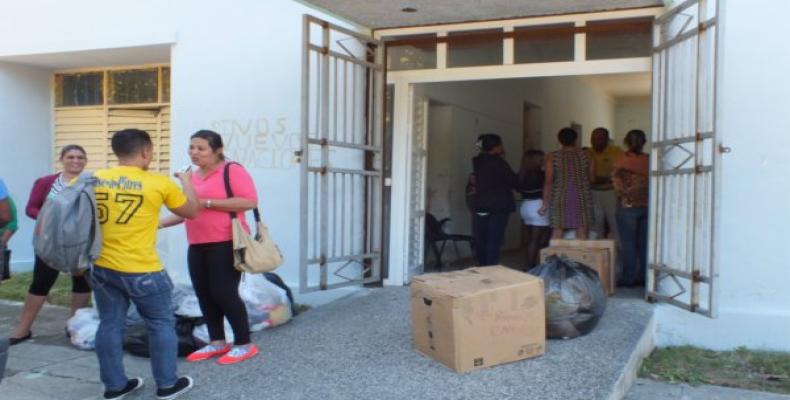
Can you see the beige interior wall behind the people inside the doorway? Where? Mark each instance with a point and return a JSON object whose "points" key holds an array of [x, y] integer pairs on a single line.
{"points": [[462, 111]]}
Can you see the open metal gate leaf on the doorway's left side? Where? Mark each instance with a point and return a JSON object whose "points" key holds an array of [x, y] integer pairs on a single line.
{"points": [[341, 157]]}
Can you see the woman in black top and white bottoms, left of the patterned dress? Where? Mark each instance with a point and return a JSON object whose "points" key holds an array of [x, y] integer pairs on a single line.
{"points": [[536, 231]]}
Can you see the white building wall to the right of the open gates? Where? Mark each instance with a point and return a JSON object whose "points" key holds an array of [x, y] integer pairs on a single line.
{"points": [[751, 250]]}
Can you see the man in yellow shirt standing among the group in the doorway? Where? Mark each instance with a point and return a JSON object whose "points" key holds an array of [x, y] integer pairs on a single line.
{"points": [[603, 153]]}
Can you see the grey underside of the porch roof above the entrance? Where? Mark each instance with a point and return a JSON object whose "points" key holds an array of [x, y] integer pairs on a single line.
{"points": [[377, 14]]}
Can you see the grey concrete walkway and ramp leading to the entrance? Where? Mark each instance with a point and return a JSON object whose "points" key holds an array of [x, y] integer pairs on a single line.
{"points": [[356, 347]]}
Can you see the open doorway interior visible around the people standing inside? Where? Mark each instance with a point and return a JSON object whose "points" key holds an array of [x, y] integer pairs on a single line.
{"points": [[527, 114]]}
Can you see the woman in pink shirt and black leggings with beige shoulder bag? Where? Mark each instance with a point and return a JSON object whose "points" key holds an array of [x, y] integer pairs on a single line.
{"points": [[210, 254]]}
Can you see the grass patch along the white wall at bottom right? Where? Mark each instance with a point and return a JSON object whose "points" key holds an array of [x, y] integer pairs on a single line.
{"points": [[742, 368]]}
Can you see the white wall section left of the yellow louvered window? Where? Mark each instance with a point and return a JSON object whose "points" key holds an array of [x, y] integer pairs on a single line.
{"points": [[26, 150]]}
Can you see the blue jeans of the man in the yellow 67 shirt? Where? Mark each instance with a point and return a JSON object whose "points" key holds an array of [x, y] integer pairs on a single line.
{"points": [[151, 294]]}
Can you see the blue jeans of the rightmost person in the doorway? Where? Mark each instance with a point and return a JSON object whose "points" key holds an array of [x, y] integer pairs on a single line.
{"points": [[632, 230]]}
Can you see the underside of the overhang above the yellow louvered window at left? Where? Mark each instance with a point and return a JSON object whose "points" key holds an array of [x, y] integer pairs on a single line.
{"points": [[96, 58]]}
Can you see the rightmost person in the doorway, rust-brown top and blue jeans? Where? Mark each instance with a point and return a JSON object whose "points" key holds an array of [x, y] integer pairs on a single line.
{"points": [[631, 181]]}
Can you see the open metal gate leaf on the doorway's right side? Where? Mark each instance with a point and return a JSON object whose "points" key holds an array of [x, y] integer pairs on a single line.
{"points": [[684, 158]]}
